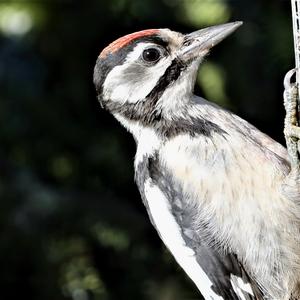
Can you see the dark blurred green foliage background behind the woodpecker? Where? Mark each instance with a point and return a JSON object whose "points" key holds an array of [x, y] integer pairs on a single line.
{"points": [[72, 222]]}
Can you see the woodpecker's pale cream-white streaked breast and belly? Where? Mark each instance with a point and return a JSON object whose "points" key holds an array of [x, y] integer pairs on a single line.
{"points": [[234, 186]]}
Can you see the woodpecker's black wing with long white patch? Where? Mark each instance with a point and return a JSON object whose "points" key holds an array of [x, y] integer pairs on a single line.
{"points": [[218, 276]]}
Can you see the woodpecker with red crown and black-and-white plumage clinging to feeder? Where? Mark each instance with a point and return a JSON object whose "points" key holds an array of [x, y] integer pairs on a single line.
{"points": [[223, 196]]}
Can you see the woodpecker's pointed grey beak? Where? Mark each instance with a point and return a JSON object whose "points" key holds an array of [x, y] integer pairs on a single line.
{"points": [[198, 43]]}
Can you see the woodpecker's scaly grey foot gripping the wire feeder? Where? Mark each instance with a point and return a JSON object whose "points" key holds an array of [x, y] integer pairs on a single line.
{"points": [[291, 128]]}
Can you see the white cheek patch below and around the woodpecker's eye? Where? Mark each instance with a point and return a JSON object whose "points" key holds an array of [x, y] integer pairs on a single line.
{"points": [[133, 81]]}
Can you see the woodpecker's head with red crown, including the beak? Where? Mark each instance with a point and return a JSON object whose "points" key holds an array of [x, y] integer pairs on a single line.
{"points": [[150, 74]]}
